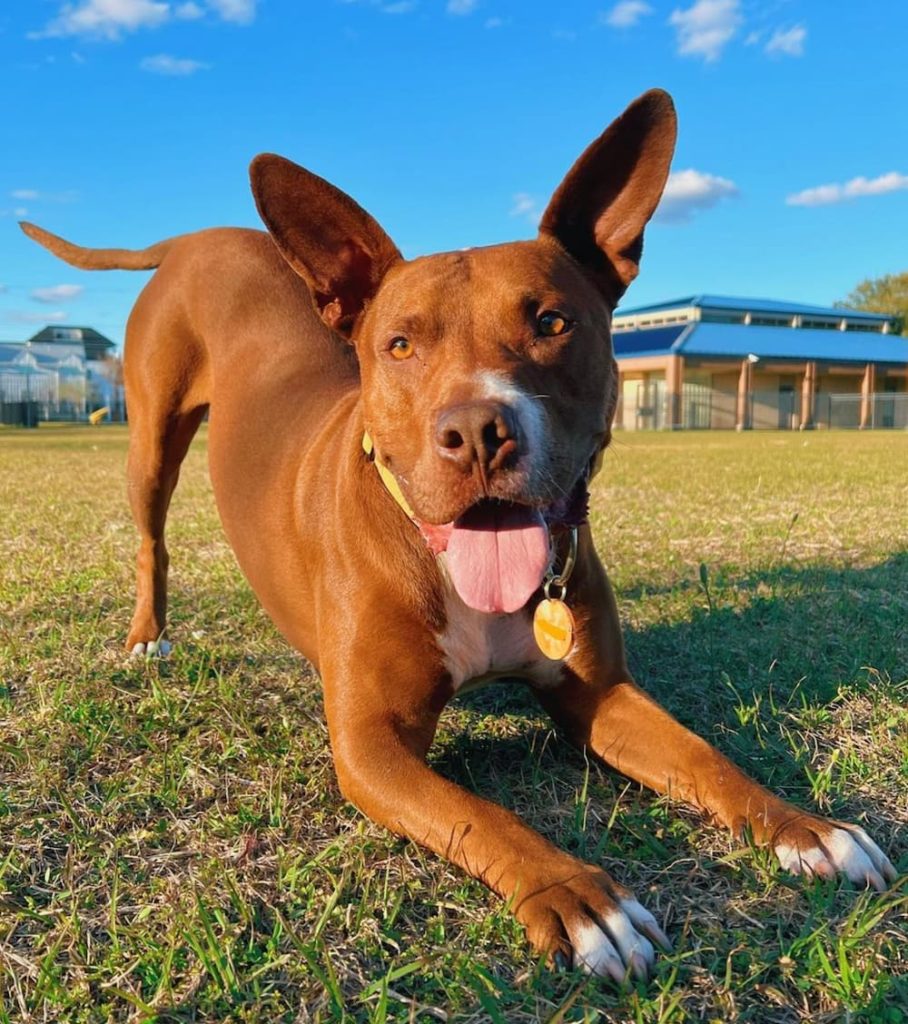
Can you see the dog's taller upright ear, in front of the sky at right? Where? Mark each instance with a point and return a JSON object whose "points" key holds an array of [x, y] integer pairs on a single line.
{"points": [[599, 211]]}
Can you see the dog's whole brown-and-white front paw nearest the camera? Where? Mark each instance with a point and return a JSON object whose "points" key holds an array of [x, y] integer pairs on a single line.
{"points": [[589, 923]]}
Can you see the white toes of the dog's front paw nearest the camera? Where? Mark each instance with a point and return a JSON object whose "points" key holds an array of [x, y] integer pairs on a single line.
{"points": [[615, 947]]}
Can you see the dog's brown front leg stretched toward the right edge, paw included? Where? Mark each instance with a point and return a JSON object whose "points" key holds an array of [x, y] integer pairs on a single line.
{"points": [[601, 708]]}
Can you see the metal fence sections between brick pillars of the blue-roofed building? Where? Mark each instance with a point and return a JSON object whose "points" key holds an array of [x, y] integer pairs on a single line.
{"points": [[704, 408]]}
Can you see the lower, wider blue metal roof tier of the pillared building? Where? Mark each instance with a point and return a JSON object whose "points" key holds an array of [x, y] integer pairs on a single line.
{"points": [[739, 342]]}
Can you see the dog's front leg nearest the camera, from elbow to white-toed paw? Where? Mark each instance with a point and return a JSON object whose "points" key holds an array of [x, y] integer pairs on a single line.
{"points": [[382, 713]]}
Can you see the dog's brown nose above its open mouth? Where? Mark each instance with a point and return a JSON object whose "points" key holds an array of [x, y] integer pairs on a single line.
{"points": [[478, 434]]}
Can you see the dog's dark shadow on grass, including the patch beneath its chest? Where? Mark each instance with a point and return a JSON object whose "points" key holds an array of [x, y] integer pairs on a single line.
{"points": [[761, 654]]}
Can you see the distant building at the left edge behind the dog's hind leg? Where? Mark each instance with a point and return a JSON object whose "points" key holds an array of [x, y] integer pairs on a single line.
{"points": [[62, 373]]}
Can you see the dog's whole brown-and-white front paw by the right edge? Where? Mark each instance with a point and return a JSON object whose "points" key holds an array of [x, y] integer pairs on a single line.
{"points": [[816, 847]]}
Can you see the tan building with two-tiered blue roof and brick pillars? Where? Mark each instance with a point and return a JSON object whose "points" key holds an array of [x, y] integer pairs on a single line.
{"points": [[717, 362]]}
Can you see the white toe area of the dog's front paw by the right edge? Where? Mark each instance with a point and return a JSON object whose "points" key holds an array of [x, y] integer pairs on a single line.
{"points": [[847, 849]]}
